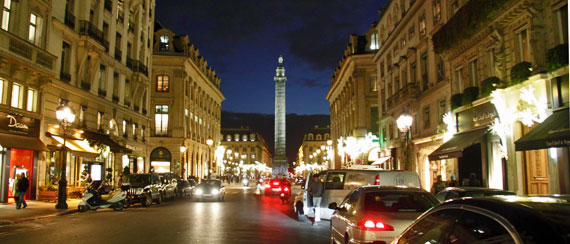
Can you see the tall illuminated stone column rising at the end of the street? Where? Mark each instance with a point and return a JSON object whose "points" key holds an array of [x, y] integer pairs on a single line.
{"points": [[280, 163]]}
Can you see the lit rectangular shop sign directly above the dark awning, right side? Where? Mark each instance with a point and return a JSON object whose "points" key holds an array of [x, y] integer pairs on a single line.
{"points": [[479, 116]]}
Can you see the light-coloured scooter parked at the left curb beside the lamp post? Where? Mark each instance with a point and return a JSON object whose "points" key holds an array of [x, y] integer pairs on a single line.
{"points": [[94, 198]]}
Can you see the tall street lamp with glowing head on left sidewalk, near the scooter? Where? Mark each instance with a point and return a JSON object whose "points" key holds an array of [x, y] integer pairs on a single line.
{"points": [[65, 116]]}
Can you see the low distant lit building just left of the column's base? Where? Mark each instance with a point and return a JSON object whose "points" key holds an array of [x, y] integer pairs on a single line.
{"points": [[245, 150]]}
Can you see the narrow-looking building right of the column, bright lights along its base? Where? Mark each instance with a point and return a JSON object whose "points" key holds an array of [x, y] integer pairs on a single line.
{"points": [[354, 103]]}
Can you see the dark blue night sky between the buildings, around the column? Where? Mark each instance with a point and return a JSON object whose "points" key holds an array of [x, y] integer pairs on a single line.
{"points": [[242, 39]]}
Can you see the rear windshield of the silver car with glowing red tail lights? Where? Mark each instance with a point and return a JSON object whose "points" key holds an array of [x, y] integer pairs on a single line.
{"points": [[397, 202]]}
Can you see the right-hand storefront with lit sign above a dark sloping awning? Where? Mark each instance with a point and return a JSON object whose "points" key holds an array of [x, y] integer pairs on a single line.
{"points": [[473, 150]]}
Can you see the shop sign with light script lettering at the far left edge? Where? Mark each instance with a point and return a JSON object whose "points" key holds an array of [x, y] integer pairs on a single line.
{"points": [[19, 125]]}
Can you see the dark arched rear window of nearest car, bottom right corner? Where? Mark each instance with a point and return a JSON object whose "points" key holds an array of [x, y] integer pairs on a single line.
{"points": [[477, 228]]}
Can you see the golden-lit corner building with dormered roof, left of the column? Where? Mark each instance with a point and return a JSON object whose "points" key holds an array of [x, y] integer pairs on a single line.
{"points": [[186, 107]]}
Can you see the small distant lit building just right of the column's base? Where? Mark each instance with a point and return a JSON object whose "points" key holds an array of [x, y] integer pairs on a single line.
{"points": [[316, 148]]}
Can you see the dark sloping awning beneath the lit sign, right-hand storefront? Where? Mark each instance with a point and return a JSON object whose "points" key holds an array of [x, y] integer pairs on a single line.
{"points": [[454, 147]]}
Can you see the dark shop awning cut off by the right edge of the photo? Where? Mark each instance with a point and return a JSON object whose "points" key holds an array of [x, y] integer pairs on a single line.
{"points": [[552, 132]]}
